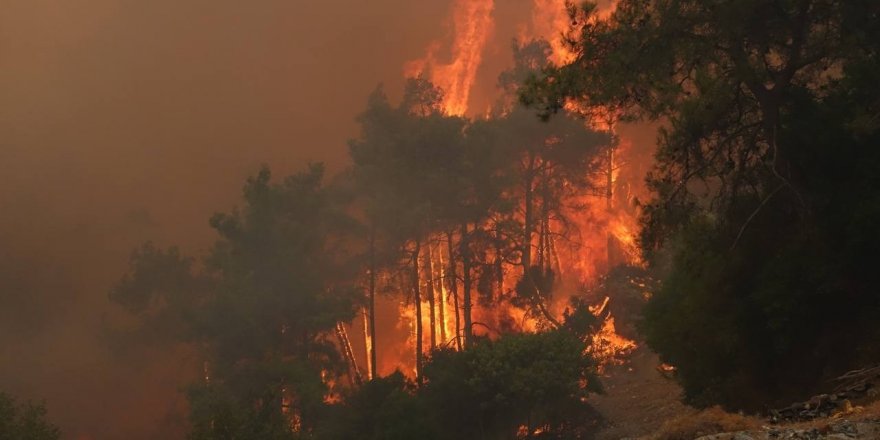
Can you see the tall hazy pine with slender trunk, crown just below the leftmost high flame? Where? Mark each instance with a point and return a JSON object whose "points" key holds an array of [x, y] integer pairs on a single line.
{"points": [[405, 164]]}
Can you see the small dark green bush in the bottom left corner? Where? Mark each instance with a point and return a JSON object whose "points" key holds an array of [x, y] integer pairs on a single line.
{"points": [[25, 421]]}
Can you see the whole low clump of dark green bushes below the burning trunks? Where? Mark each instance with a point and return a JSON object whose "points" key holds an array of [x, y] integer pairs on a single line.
{"points": [[489, 391]]}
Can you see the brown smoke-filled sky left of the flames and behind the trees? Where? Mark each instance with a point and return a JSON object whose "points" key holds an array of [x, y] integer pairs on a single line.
{"points": [[128, 120]]}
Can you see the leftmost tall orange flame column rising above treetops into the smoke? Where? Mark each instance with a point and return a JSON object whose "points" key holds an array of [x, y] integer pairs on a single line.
{"points": [[472, 25]]}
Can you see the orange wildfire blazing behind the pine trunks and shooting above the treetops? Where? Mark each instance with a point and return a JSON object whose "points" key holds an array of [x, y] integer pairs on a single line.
{"points": [[591, 230]]}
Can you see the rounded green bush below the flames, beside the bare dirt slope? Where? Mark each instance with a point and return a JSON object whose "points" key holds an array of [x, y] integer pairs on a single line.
{"points": [[533, 380]]}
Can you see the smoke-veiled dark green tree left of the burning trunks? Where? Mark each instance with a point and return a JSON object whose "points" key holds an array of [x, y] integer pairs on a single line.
{"points": [[260, 310]]}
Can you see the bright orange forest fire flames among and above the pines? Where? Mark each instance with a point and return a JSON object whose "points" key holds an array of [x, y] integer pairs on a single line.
{"points": [[599, 227]]}
